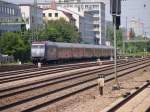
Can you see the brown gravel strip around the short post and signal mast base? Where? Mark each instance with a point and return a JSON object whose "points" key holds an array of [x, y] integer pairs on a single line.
{"points": [[91, 101]]}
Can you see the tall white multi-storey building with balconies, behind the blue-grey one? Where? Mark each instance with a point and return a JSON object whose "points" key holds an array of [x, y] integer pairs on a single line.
{"points": [[97, 10]]}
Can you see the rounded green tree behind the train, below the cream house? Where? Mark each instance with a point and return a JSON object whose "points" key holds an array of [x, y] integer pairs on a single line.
{"points": [[59, 31]]}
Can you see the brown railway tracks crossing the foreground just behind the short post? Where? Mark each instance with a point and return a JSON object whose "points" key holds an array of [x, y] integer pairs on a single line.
{"points": [[35, 96]]}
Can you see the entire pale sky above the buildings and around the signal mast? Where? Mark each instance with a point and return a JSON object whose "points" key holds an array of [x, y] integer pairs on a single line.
{"points": [[137, 9]]}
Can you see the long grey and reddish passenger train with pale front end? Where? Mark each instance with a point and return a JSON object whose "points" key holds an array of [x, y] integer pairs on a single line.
{"points": [[47, 51]]}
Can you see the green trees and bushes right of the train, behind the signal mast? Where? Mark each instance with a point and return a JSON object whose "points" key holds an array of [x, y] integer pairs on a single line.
{"points": [[131, 47]]}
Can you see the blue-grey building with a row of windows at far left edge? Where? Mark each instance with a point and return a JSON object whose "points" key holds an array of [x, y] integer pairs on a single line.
{"points": [[10, 17]]}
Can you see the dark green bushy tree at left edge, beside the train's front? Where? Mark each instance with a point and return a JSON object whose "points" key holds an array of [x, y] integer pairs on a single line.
{"points": [[13, 44]]}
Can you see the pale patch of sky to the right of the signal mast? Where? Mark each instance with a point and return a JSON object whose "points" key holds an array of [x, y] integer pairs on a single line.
{"points": [[138, 10]]}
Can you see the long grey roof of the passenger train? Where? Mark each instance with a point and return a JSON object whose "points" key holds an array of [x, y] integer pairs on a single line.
{"points": [[75, 45]]}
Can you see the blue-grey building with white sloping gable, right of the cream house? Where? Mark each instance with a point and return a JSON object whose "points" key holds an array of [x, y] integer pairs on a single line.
{"points": [[83, 24]]}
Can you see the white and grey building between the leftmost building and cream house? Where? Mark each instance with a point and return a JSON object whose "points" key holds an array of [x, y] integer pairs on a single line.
{"points": [[31, 15]]}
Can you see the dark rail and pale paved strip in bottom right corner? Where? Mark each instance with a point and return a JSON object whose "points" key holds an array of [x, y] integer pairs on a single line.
{"points": [[133, 101]]}
